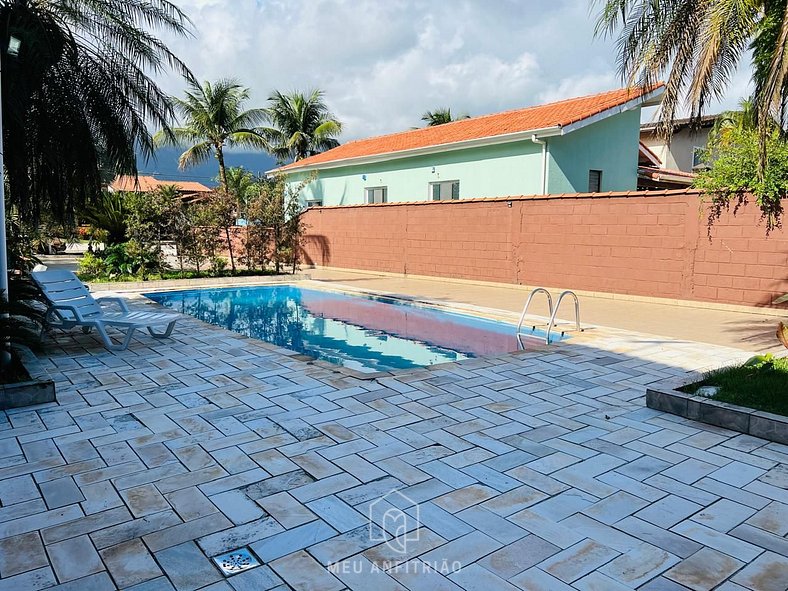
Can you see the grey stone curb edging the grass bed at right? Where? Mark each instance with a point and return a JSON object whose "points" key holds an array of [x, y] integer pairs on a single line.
{"points": [[721, 414]]}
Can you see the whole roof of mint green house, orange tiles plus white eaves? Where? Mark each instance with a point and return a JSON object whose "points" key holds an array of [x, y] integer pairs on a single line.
{"points": [[542, 120]]}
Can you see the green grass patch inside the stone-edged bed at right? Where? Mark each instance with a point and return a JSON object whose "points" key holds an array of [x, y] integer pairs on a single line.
{"points": [[761, 383]]}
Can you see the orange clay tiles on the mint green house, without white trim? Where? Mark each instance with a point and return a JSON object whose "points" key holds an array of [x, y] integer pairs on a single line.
{"points": [[558, 114]]}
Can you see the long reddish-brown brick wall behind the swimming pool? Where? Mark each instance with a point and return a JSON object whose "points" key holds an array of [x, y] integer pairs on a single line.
{"points": [[641, 244]]}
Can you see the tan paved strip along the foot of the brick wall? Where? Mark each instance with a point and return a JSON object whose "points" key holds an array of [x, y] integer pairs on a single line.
{"points": [[746, 331]]}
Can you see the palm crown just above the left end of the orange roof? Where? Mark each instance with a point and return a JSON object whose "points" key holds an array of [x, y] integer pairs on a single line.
{"points": [[301, 125]]}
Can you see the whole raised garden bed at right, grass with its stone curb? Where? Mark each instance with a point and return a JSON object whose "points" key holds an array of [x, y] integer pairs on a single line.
{"points": [[752, 399]]}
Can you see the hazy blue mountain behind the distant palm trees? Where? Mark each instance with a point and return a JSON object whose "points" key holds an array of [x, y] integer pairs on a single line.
{"points": [[165, 166]]}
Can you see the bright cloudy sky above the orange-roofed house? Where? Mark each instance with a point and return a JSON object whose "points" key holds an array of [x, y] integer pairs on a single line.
{"points": [[382, 63]]}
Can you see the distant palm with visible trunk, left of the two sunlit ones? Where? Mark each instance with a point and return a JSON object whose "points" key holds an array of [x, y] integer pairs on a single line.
{"points": [[214, 118]]}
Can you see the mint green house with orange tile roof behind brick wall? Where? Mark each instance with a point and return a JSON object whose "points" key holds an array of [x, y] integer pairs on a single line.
{"points": [[586, 144]]}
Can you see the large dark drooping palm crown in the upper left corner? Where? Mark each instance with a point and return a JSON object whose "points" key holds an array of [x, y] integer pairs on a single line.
{"points": [[77, 97]]}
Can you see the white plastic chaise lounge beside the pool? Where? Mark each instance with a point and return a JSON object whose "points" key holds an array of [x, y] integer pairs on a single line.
{"points": [[71, 304]]}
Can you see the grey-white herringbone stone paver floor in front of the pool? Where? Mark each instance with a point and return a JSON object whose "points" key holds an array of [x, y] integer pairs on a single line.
{"points": [[530, 472]]}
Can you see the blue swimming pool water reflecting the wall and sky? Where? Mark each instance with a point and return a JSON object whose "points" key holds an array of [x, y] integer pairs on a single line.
{"points": [[359, 332]]}
